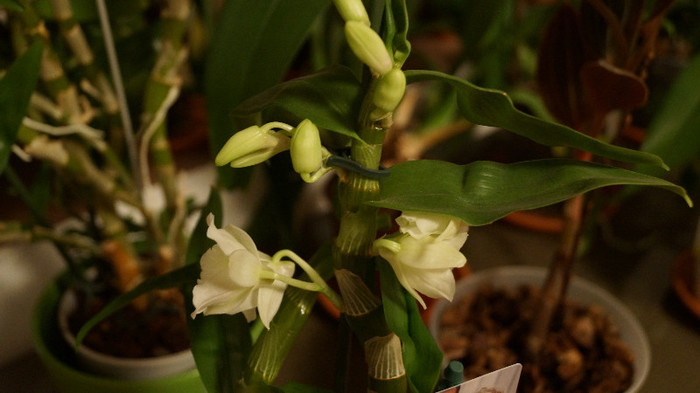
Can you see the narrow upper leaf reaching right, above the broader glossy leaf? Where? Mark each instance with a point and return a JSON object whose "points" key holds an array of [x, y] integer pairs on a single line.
{"points": [[494, 108]]}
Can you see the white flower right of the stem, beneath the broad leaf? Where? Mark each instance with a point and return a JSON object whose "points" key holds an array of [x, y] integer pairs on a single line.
{"points": [[424, 252]]}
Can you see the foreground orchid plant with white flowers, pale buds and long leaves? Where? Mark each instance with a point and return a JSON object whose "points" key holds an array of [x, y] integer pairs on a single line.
{"points": [[400, 229]]}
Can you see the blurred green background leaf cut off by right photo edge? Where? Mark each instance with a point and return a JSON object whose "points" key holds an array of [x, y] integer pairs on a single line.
{"points": [[674, 132]]}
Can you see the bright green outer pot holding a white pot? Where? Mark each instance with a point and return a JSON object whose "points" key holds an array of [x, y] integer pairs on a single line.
{"points": [[62, 363]]}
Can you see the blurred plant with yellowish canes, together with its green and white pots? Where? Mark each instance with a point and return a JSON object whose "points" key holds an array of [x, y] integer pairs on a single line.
{"points": [[80, 172]]}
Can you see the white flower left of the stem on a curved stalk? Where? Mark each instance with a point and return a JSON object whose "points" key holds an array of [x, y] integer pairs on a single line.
{"points": [[236, 277]]}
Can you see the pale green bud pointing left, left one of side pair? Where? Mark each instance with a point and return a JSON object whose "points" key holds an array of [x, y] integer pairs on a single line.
{"points": [[251, 146]]}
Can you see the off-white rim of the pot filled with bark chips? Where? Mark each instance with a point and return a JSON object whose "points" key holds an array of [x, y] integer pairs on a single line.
{"points": [[580, 290]]}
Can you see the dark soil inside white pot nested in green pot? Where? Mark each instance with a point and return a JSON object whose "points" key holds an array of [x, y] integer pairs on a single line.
{"points": [[153, 325]]}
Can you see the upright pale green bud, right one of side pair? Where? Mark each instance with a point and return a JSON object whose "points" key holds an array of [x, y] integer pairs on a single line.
{"points": [[305, 148]]}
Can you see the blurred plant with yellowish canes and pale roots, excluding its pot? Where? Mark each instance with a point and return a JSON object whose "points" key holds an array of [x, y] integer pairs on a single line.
{"points": [[68, 117]]}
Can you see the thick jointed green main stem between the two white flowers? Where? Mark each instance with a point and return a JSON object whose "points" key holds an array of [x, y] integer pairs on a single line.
{"points": [[358, 228]]}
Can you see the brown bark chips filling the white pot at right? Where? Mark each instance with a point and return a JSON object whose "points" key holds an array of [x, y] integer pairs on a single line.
{"points": [[583, 352]]}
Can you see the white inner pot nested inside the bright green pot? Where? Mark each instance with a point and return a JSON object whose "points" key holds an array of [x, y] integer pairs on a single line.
{"points": [[118, 367]]}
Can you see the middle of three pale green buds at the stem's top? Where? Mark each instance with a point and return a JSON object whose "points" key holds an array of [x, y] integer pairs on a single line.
{"points": [[368, 46]]}
